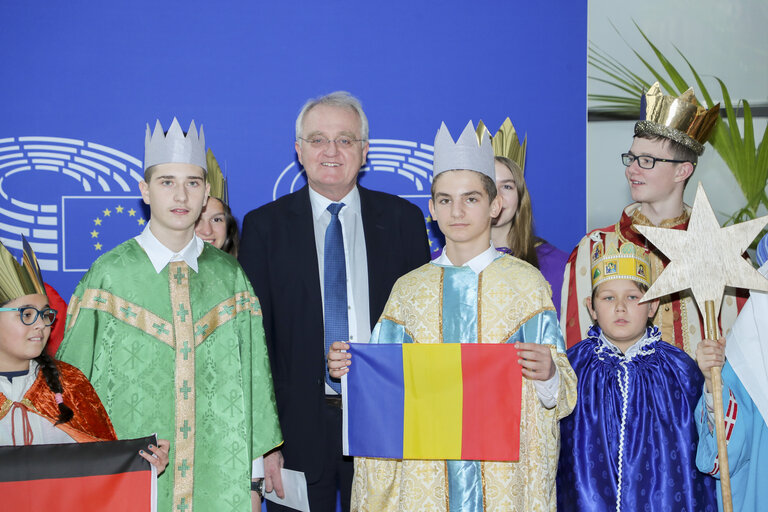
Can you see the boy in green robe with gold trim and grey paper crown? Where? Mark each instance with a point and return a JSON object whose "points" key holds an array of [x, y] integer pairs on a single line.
{"points": [[169, 332]]}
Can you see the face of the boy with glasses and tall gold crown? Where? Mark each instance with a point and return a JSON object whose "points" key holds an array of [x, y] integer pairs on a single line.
{"points": [[664, 182]]}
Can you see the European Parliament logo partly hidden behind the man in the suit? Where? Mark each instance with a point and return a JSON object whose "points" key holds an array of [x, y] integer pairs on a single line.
{"points": [[400, 167]]}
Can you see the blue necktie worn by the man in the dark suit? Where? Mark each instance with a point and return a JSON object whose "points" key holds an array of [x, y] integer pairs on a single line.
{"points": [[335, 288]]}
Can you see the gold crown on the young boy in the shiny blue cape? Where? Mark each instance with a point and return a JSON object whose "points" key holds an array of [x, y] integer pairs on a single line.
{"points": [[614, 260]]}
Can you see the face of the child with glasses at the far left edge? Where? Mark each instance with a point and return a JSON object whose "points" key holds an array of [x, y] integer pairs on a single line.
{"points": [[18, 342]]}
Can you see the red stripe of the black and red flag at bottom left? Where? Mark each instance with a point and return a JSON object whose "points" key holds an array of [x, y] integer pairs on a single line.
{"points": [[122, 492]]}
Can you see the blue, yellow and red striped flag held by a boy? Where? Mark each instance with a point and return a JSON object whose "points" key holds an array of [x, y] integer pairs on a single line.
{"points": [[433, 401]]}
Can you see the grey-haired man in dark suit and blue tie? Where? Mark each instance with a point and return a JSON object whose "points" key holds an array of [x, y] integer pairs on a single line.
{"points": [[322, 261]]}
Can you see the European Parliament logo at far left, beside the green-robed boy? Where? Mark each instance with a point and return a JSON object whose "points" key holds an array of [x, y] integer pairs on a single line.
{"points": [[74, 200]]}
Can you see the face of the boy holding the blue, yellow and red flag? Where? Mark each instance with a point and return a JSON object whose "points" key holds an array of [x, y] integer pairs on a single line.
{"points": [[463, 210]]}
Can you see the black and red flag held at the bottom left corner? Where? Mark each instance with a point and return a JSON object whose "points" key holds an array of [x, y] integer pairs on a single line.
{"points": [[87, 477]]}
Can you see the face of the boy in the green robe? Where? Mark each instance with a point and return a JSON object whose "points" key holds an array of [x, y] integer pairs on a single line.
{"points": [[176, 194]]}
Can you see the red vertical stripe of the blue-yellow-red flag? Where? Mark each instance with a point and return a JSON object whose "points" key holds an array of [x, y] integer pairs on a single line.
{"points": [[492, 382]]}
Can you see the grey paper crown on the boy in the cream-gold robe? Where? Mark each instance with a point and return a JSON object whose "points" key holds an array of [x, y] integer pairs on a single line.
{"points": [[466, 153]]}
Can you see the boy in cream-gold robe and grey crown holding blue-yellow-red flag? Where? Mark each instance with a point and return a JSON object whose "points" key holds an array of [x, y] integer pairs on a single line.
{"points": [[473, 294]]}
